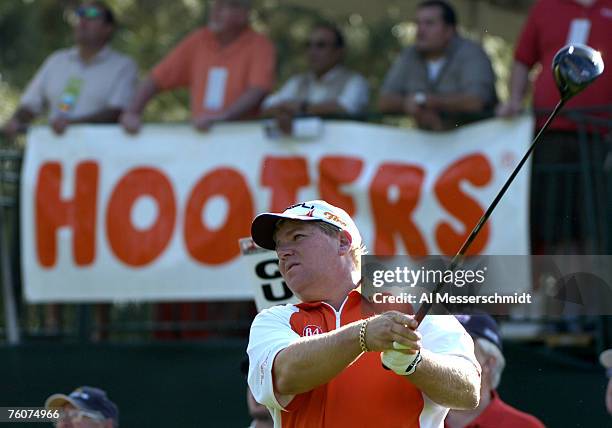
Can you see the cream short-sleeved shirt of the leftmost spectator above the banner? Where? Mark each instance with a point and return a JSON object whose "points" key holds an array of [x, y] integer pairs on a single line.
{"points": [[66, 85]]}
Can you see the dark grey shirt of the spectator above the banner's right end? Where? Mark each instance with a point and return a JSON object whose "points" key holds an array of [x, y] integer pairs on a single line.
{"points": [[466, 70]]}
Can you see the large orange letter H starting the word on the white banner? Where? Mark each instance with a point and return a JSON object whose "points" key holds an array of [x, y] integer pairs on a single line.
{"points": [[53, 212]]}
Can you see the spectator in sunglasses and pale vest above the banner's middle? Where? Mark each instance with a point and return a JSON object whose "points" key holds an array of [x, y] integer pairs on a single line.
{"points": [[327, 88]]}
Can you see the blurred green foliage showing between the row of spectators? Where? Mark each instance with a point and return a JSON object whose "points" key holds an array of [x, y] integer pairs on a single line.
{"points": [[32, 29]]}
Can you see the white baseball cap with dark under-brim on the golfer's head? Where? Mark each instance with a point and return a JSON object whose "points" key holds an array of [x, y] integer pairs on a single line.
{"points": [[262, 229]]}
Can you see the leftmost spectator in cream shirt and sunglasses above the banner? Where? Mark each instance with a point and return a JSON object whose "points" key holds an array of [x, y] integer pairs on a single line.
{"points": [[88, 83]]}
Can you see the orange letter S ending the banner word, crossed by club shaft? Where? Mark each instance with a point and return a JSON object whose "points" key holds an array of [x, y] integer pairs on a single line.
{"points": [[477, 170]]}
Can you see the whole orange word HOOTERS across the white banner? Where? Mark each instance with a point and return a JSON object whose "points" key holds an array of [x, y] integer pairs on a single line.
{"points": [[395, 192]]}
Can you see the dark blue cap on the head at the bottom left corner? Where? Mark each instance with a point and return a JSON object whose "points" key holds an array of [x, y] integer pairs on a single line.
{"points": [[87, 398]]}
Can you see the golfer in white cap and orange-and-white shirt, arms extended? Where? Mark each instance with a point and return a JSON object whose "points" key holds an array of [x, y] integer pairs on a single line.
{"points": [[319, 363]]}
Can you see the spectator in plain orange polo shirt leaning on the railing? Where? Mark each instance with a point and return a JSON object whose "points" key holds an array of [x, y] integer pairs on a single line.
{"points": [[228, 67]]}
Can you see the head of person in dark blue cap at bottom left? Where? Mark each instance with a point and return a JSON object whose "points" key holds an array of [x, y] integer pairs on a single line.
{"points": [[85, 407]]}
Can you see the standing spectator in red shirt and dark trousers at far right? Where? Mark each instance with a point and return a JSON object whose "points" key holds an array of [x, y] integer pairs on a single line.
{"points": [[575, 21]]}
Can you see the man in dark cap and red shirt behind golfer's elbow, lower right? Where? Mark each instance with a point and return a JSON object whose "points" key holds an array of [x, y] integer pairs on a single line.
{"points": [[492, 411]]}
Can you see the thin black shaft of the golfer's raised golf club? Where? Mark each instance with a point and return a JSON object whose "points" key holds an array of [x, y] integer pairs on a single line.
{"points": [[456, 260]]}
